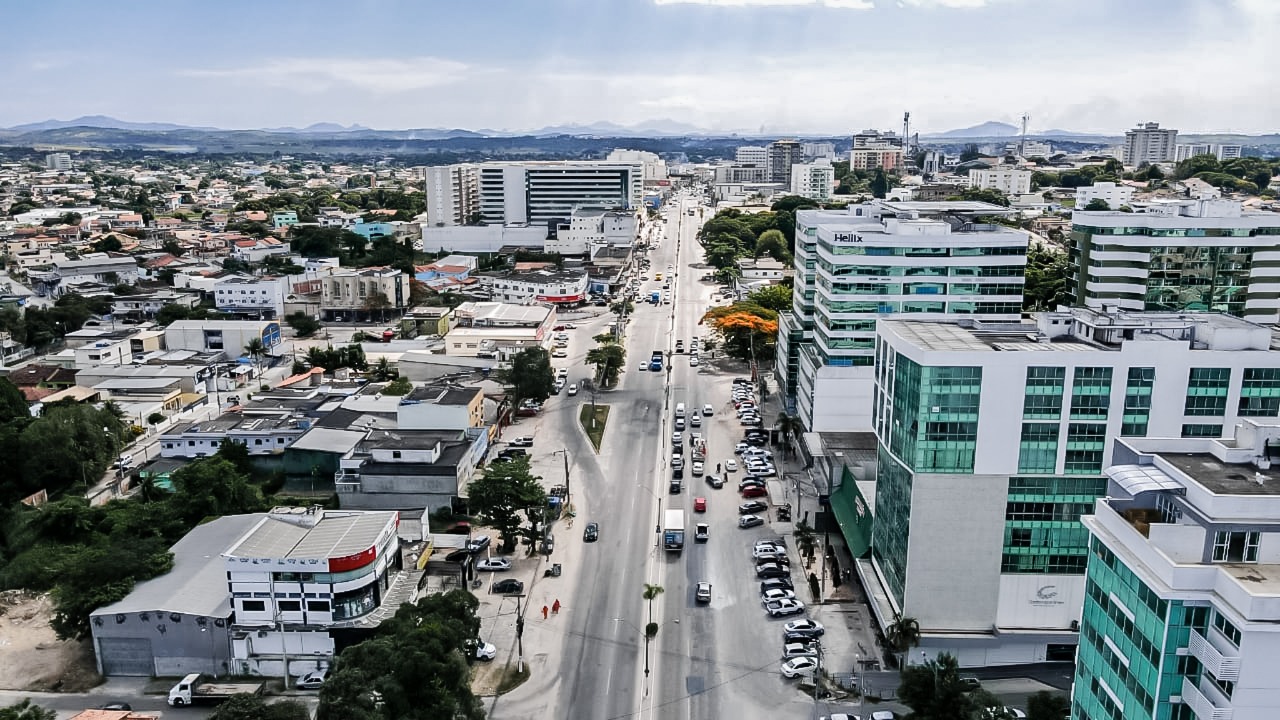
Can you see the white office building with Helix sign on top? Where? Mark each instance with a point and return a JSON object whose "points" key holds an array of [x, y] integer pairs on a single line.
{"points": [[856, 266]]}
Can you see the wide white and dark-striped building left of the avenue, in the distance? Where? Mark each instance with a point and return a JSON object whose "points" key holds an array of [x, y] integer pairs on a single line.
{"points": [[533, 193]]}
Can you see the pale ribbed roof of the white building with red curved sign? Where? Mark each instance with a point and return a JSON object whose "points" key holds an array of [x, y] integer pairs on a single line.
{"points": [[305, 534]]}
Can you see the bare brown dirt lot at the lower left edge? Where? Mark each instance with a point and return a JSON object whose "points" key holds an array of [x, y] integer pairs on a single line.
{"points": [[34, 658]]}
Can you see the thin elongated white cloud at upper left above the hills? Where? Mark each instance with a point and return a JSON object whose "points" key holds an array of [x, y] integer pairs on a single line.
{"points": [[322, 75]]}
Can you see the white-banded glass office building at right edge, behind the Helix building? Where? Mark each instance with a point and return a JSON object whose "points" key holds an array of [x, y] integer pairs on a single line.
{"points": [[1196, 256]]}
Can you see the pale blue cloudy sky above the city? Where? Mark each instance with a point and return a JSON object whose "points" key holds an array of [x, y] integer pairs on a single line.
{"points": [[729, 66]]}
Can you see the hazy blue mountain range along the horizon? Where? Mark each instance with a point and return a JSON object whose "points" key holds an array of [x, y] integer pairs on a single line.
{"points": [[648, 129]]}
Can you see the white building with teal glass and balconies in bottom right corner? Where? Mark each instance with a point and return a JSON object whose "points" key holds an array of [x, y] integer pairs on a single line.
{"points": [[1181, 614]]}
